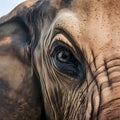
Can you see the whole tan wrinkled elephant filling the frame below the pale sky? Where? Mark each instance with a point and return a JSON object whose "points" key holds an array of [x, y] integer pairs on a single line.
{"points": [[73, 51]]}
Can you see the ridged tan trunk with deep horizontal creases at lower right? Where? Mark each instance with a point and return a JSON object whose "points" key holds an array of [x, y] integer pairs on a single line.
{"points": [[109, 87]]}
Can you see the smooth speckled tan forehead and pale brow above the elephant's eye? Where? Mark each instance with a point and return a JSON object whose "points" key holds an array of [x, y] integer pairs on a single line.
{"points": [[92, 24]]}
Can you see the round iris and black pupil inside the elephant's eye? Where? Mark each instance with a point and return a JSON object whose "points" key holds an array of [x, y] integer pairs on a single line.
{"points": [[64, 56]]}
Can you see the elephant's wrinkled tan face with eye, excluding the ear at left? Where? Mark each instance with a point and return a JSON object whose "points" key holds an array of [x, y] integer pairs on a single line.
{"points": [[77, 58]]}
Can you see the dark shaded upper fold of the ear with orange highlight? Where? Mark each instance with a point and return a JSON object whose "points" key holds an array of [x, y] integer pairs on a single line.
{"points": [[14, 38]]}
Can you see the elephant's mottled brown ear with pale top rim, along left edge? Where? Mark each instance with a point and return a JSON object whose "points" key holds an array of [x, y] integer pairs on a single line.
{"points": [[20, 91]]}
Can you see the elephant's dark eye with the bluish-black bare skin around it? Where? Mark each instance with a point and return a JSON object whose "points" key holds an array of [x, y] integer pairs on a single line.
{"points": [[64, 60]]}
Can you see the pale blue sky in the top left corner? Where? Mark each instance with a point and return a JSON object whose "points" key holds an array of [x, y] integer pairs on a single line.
{"points": [[7, 5]]}
